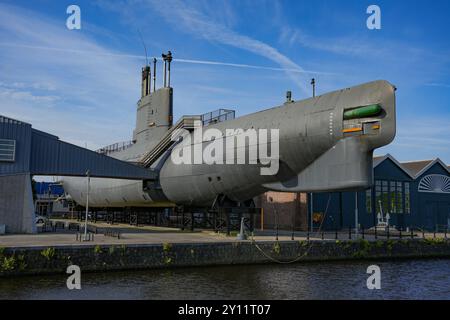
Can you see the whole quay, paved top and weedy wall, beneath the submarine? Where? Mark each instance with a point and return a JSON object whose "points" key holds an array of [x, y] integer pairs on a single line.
{"points": [[151, 247]]}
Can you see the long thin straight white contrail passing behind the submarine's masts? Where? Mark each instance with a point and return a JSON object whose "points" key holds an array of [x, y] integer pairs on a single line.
{"points": [[191, 61]]}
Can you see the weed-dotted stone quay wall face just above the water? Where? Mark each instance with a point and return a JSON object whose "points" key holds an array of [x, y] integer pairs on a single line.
{"points": [[50, 260]]}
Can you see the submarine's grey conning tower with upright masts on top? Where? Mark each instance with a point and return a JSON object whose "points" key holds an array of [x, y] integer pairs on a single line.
{"points": [[154, 114]]}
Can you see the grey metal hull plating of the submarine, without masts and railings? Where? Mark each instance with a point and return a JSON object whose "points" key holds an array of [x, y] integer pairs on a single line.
{"points": [[325, 143]]}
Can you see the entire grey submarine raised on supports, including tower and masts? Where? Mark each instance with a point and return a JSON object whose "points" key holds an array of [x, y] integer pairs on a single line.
{"points": [[320, 144]]}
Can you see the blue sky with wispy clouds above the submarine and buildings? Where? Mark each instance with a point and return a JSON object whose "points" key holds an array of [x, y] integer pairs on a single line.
{"points": [[83, 85]]}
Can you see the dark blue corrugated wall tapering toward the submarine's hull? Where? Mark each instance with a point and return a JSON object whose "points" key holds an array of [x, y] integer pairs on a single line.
{"points": [[39, 153]]}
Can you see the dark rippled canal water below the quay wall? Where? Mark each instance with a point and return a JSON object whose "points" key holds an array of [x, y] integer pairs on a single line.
{"points": [[406, 279]]}
